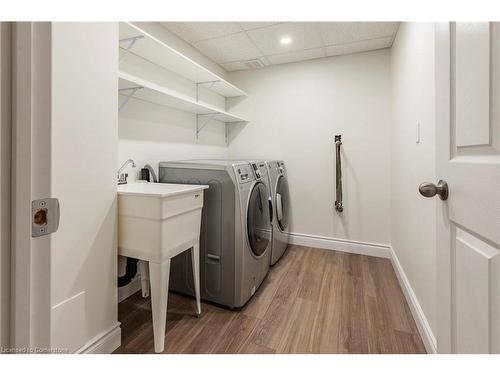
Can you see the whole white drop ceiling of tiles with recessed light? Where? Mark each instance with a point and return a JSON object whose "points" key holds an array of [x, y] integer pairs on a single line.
{"points": [[250, 45]]}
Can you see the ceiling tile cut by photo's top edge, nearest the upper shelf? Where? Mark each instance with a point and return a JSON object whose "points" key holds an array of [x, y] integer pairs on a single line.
{"points": [[196, 31]]}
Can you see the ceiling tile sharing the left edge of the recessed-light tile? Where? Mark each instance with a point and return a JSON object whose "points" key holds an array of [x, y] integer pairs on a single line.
{"points": [[235, 47]]}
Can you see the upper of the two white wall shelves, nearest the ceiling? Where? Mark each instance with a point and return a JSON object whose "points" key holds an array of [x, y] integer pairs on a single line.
{"points": [[137, 41]]}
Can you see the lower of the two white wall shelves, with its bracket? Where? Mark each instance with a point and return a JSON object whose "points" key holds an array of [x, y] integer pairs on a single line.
{"points": [[132, 86]]}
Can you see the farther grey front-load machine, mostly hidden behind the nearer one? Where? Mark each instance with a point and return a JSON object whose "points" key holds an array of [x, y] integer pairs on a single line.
{"points": [[280, 197]]}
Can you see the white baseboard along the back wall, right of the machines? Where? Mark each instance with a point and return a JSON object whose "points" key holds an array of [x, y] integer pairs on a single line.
{"points": [[348, 246]]}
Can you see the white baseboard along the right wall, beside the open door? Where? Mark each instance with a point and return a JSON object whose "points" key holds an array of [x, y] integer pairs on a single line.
{"points": [[418, 314]]}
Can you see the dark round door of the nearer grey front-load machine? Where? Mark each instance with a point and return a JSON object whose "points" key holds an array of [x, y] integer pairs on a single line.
{"points": [[258, 219]]}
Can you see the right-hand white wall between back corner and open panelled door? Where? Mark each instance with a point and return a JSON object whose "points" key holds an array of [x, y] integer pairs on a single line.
{"points": [[413, 232]]}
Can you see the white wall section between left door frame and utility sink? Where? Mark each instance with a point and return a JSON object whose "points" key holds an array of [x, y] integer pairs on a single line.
{"points": [[84, 143]]}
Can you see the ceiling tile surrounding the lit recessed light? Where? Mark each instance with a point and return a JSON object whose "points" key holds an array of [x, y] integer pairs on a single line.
{"points": [[305, 35]]}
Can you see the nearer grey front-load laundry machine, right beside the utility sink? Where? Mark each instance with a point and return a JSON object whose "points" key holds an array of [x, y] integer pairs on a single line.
{"points": [[236, 234]]}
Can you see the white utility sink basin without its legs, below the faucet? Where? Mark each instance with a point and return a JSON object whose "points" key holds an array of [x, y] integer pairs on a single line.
{"points": [[157, 220]]}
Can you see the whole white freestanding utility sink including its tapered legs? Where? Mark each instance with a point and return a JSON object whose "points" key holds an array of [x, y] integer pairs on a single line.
{"points": [[155, 223]]}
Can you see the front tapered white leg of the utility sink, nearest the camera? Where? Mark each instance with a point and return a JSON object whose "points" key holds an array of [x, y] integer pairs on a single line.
{"points": [[159, 274]]}
